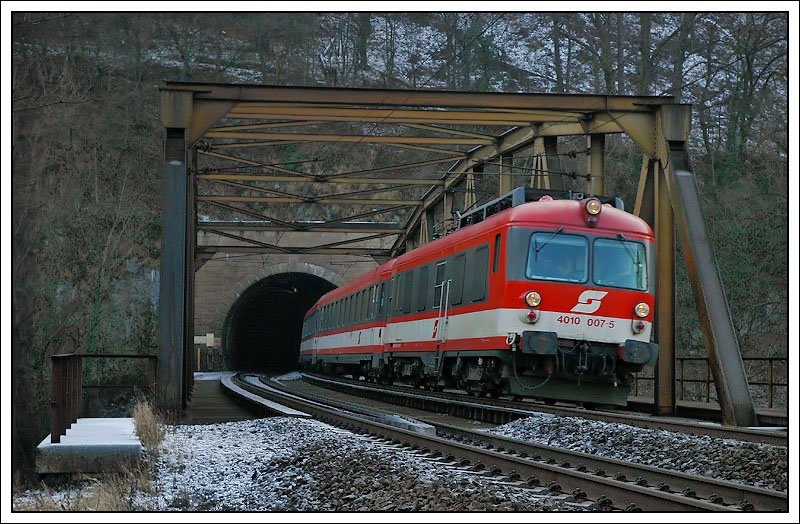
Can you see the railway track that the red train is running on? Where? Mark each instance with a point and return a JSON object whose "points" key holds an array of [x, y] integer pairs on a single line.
{"points": [[499, 411]]}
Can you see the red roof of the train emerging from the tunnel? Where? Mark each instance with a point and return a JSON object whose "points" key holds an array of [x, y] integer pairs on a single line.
{"points": [[569, 214]]}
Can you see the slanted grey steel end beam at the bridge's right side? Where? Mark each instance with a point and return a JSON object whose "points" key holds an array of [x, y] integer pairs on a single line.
{"points": [[719, 333]]}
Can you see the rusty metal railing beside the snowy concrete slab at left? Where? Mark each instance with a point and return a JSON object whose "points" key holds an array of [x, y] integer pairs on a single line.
{"points": [[66, 404]]}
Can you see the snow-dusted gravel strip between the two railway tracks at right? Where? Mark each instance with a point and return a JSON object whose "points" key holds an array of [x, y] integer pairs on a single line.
{"points": [[760, 465]]}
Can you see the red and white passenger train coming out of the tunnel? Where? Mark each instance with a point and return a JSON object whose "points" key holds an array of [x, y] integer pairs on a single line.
{"points": [[543, 294]]}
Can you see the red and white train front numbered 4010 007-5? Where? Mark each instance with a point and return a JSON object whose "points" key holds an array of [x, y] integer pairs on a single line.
{"points": [[581, 296]]}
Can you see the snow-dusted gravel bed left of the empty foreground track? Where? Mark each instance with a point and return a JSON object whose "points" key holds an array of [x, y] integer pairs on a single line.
{"points": [[281, 464]]}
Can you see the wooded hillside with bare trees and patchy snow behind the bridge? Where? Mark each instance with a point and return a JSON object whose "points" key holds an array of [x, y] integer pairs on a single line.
{"points": [[87, 142]]}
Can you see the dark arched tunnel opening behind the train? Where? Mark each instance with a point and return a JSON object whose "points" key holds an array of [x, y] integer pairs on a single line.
{"points": [[262, 330]]}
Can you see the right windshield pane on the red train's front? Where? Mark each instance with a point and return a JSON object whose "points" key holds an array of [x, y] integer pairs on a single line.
{"points": [[620, 263]]}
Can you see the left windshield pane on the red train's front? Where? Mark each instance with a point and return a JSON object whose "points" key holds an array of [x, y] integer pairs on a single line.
{"points": [[555, 256]]}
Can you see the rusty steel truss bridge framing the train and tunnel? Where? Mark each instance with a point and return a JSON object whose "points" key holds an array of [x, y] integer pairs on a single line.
{"points": [[261, 153]]}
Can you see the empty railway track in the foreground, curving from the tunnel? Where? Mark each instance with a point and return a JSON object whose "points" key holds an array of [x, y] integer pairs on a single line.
{"points": [[611, 484]]}
